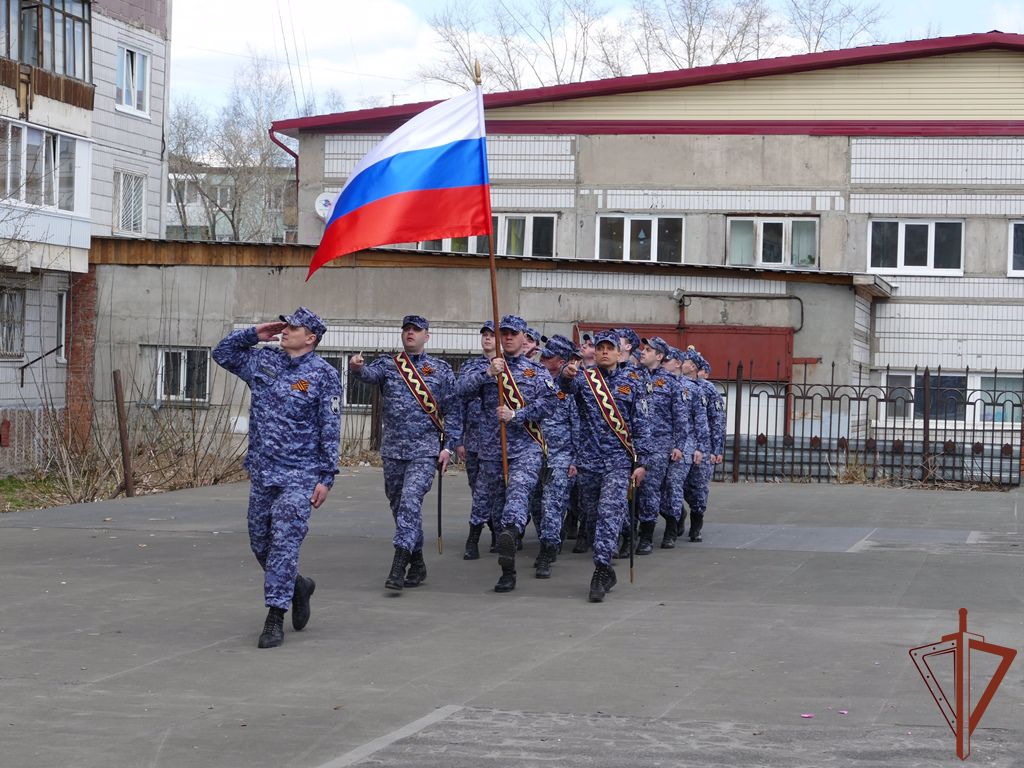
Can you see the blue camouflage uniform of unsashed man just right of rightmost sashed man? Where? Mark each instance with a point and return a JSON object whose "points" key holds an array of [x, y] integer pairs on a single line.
{"points": [[670, 430]]}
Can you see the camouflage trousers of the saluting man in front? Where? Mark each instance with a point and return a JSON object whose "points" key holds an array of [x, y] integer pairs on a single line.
{"points": [[279, 521]]}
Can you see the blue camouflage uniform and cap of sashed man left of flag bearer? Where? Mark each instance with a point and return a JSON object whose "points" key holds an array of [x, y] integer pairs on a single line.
{"points": [[411, 442]]}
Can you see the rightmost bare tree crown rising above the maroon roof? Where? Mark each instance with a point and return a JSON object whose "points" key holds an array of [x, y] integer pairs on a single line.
{"points": [[824, 25]]}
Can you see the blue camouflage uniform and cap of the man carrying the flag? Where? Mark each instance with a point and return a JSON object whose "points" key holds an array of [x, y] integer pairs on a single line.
{"points": [[508, 507]]}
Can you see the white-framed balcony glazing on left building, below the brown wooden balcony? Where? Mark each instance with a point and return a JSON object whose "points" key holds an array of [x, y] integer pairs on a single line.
{"points": [[37, 166]]}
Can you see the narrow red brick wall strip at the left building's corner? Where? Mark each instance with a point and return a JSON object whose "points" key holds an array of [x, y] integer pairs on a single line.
{"points": [[81, 344]]}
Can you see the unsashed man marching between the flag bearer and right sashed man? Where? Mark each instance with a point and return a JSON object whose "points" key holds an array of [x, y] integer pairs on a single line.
{"points": [[562, 433]]}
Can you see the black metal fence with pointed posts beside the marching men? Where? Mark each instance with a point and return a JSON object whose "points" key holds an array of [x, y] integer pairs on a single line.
{"points": [[916, 428]]}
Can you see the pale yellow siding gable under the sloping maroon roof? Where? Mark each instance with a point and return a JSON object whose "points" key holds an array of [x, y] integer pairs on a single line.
{"points": [[982, 86]]}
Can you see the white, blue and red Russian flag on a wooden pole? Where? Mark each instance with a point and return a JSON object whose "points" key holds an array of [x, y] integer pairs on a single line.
{"points": [[425, 182]]}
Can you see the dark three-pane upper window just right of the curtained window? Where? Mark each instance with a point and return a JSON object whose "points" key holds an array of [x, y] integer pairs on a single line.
{"points": [[916, 247]]}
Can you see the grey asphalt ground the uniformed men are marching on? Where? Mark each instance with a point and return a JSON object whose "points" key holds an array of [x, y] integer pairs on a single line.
{"points": [[129, 638]]}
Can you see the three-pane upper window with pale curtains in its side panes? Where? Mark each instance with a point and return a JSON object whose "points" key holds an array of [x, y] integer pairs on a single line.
{"points": [[762, 242]]}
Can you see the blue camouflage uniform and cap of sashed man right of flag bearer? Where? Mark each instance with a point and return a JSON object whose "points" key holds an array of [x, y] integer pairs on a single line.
{"points": [[605, 466]]}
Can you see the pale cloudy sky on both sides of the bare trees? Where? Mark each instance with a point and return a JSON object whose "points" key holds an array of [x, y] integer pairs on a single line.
{"points": [[370, 51]]}
